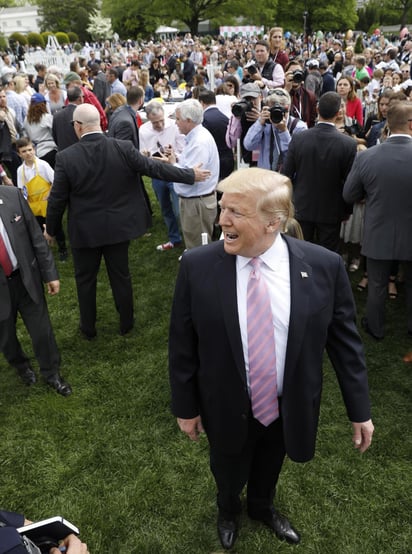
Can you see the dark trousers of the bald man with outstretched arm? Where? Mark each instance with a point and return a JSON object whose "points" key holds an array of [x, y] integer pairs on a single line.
{"points": [[86, 267]]}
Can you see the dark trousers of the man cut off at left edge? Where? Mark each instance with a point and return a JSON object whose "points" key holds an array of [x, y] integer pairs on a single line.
{"points": [[37, 321]]}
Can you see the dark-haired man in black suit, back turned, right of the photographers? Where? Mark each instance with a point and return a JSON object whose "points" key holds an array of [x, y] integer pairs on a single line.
{"points": [[318, 162]]}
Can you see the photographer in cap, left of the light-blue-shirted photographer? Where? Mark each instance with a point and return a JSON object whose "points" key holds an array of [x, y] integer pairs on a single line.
{"points": [[244, 114]]}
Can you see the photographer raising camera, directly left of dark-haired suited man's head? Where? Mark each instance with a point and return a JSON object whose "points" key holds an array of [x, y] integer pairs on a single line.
{"points": [[303, 101]]}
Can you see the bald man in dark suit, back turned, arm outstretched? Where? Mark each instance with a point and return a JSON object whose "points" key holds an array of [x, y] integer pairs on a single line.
{"points": [[98, 179]]}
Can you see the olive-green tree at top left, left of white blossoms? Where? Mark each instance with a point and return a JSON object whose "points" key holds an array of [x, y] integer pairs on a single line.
{"points": [[66, 16]]}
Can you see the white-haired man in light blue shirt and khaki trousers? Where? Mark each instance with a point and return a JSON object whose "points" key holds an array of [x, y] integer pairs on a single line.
{"points": [[197, 203]]}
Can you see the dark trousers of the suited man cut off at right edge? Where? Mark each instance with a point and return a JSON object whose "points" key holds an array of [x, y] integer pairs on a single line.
{"points": [[378, 277]]}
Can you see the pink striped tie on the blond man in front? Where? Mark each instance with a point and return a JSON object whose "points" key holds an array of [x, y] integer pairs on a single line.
{"points": [[261, 348]]}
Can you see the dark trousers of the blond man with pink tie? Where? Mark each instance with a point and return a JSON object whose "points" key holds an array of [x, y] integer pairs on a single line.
{"points": [[258, 464]]}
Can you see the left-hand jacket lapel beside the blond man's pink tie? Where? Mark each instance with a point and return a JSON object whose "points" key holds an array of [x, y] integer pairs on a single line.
{"points": [[226, 283]]}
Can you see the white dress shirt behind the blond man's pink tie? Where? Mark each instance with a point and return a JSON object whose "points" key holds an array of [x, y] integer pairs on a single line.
{"points": [[275, 271]]}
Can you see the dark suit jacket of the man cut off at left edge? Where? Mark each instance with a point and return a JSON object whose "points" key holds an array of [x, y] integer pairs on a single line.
{"points": [[35, 258]]}
